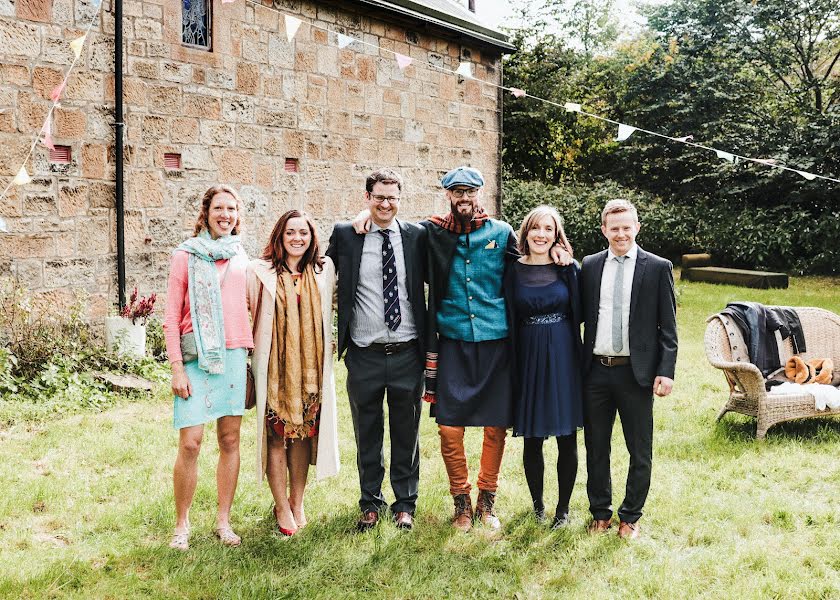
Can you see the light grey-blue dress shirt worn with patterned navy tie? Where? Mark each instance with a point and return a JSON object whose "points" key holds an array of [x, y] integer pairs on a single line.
{"points": [[367, 324]]}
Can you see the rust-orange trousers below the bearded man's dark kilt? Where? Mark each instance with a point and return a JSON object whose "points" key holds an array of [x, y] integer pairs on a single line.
{"points": [[455, 459]]}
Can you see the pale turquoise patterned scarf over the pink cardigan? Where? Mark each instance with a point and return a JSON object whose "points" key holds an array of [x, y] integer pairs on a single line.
{"points": [[206, 295]]}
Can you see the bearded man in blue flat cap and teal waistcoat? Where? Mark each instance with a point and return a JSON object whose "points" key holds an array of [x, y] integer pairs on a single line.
{"points": [[468, 363]]}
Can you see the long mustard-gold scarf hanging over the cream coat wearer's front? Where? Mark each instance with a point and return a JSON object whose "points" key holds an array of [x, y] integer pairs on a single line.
{"points": [[296, 360]]}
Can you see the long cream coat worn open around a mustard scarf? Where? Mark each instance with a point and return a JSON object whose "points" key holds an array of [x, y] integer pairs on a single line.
{"points": [[261, 271]]}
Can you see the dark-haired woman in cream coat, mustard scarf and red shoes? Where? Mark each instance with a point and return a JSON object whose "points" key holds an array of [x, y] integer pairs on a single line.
{"points": [[292, 364]]}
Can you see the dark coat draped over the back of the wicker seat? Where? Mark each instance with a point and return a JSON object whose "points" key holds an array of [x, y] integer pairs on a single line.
{"points": [[758, 324]]}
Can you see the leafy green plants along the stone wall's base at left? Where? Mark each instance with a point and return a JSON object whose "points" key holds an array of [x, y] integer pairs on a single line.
{"points": [[47, 359]]}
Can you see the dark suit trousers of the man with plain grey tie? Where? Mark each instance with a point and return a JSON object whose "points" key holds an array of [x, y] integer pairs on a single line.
{"points": [[607, 390]]}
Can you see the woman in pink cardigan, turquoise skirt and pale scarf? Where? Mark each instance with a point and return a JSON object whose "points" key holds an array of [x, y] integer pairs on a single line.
{"points": [[208, 335]]}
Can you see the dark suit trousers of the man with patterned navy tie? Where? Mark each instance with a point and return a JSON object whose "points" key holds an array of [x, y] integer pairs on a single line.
{"points": [[370, 375]]}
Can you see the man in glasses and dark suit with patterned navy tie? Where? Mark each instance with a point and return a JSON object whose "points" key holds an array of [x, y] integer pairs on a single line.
{"points": [[381, 326]]}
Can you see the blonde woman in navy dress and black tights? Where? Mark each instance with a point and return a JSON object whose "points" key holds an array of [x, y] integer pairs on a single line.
{"points": [[545, 317]]}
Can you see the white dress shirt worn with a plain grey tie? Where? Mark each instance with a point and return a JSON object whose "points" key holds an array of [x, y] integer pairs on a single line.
{"points": [[603, 333]]}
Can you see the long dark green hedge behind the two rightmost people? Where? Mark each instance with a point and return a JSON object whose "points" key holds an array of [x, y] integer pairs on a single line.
{"points": [[786, 238]]}
